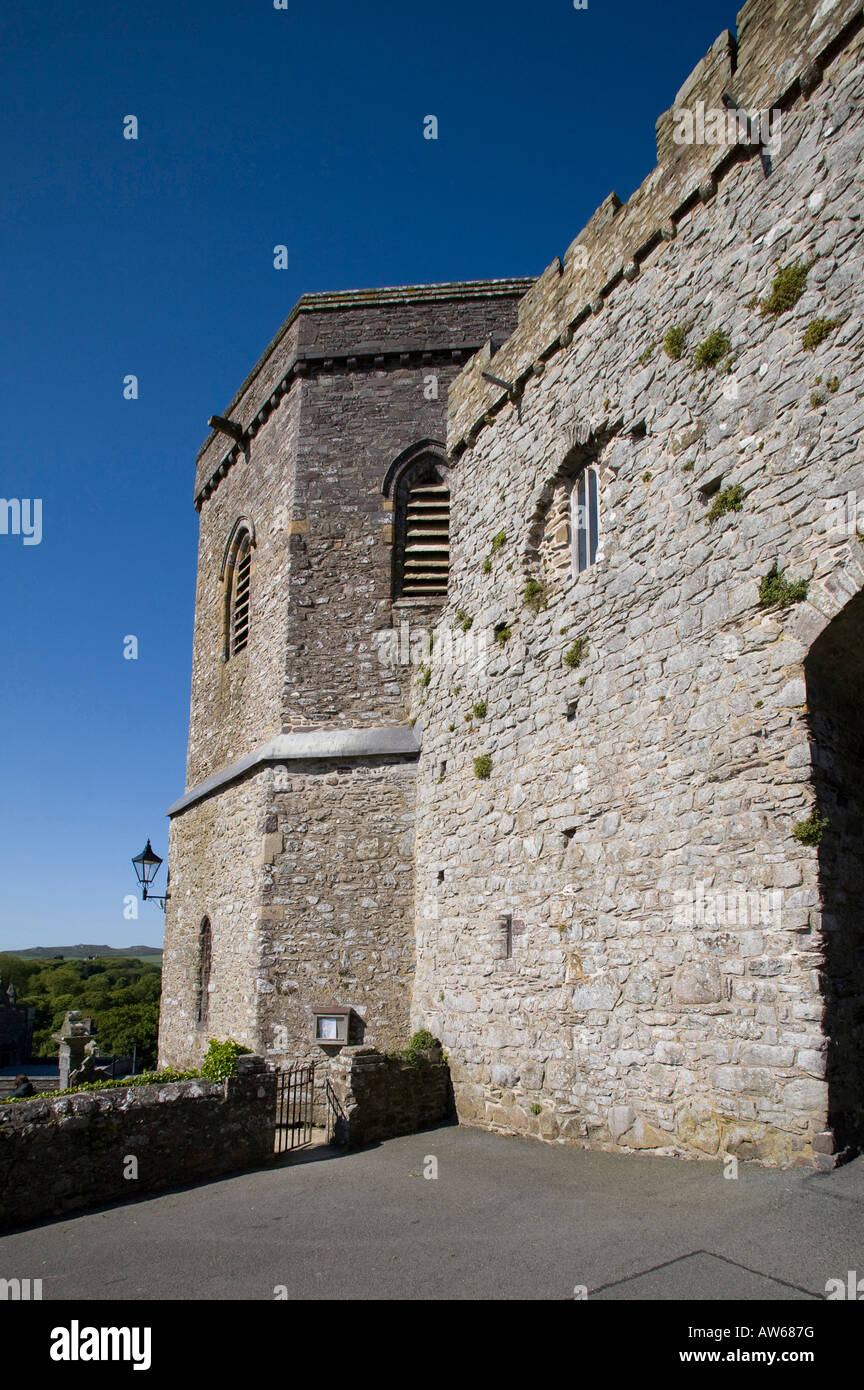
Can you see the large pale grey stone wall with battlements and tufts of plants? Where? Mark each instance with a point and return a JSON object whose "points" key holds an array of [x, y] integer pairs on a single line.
{"points": [[579, 951]]}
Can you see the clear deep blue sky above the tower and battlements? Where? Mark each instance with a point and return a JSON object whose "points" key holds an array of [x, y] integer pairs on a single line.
{"points": [[155, 258]]}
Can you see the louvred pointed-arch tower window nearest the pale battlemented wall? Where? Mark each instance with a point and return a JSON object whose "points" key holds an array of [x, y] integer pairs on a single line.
{"points": [[422, 528]]}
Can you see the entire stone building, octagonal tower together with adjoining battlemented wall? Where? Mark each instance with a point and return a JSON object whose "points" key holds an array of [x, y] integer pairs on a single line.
{"points": [[622, 882]]}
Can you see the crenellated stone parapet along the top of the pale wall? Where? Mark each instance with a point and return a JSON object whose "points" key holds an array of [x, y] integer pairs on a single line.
{"points": [[777, 59]]}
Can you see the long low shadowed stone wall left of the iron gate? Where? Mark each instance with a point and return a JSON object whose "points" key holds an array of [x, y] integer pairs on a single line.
{"points": [[95, 1147]]}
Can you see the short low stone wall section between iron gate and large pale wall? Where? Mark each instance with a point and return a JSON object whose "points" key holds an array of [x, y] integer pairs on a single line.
{"points": [[376, 1097]]}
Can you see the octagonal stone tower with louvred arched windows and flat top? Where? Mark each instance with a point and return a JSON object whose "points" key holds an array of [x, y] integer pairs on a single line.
{"points": [[324, 530]]}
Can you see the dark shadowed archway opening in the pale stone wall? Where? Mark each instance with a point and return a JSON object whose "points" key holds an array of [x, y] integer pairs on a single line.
{"points": [[836, 700]]}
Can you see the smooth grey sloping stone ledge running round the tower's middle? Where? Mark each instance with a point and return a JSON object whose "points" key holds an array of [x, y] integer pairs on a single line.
{"points": [[316, 744]]}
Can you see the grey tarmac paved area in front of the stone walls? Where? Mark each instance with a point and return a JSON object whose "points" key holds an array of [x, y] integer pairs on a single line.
{"points": [[506, 1218]]}
